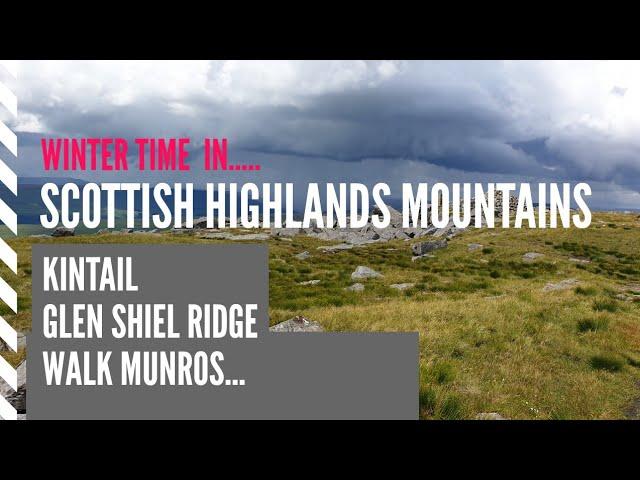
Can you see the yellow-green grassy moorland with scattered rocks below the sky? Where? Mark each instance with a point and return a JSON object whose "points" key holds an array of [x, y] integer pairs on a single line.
{"points": [[492, 339]]}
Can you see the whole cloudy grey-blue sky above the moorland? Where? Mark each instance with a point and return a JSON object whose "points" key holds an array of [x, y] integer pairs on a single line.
{"points": [[356, 121]]}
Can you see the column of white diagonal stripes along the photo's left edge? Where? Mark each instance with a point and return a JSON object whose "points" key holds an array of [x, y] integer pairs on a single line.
{"points": [[7, 294]]}
